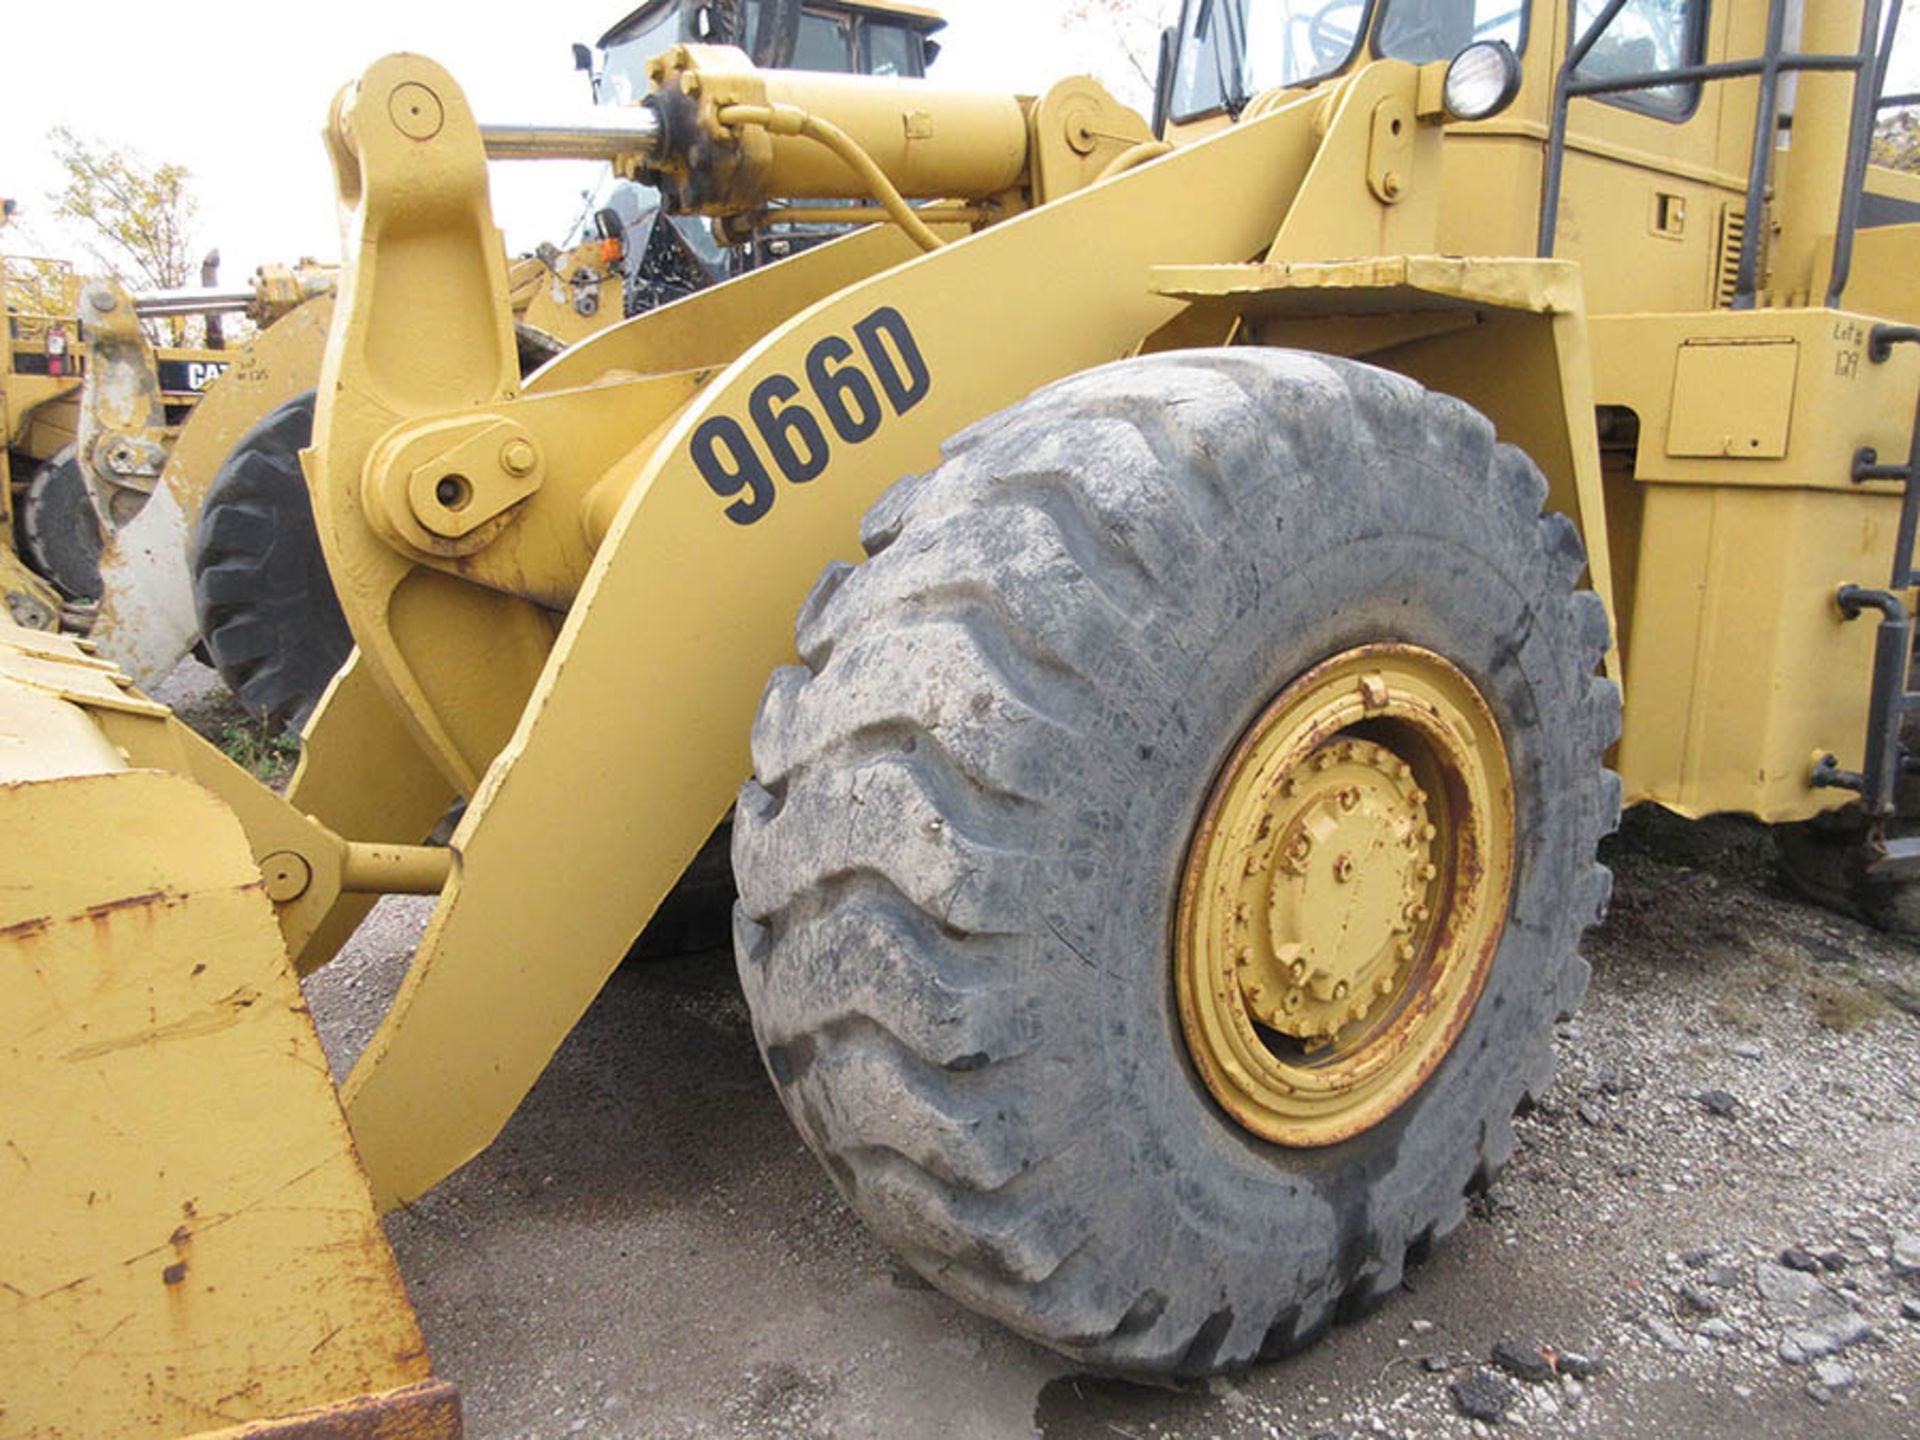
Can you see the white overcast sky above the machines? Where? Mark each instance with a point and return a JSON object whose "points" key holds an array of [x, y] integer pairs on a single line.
{"points": [[237, 91]]}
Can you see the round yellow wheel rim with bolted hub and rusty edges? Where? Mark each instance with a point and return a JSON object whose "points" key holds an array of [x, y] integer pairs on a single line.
{"points": [[1345, 894]]}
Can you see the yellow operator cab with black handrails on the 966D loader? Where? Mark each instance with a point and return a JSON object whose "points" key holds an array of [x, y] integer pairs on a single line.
{"points": [[1623, 137]]}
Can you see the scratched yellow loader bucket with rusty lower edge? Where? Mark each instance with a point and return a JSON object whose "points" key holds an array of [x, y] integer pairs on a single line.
{"points": [[191, 1241]]}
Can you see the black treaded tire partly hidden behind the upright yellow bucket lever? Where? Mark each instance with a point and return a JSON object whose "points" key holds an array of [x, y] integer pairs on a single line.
{"points": [[266, 604]]}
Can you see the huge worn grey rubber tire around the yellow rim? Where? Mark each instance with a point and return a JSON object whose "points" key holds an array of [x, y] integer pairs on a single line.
{"points": [[961, 857]]}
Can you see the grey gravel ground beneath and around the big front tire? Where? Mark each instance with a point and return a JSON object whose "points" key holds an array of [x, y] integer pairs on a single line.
{"points": [[1712, 1226]]}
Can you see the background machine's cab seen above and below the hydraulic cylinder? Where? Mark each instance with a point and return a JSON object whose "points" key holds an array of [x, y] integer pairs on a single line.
{"points": [[675, 256]]}
